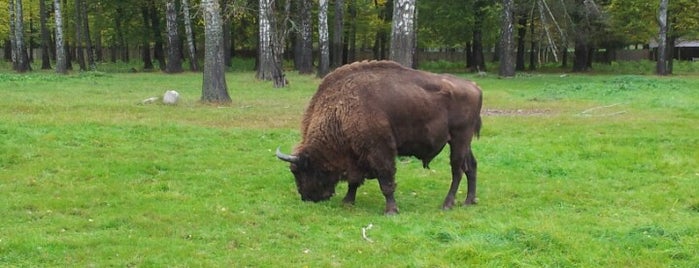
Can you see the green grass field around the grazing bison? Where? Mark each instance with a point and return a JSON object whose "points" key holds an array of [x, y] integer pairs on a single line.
{"points": [[574, 171]]}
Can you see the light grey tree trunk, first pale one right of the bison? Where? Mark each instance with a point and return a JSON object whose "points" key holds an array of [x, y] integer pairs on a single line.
{"points": [[507, 46]]}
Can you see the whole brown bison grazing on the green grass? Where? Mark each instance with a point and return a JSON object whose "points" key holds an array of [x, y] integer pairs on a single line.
{"points": [[366, 114]]}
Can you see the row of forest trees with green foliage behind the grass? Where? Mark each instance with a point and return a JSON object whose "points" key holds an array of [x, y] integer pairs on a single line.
{"points": [[167, 34]]}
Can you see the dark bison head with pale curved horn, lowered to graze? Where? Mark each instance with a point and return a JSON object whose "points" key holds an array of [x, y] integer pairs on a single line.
{"points": [[313, 181]]}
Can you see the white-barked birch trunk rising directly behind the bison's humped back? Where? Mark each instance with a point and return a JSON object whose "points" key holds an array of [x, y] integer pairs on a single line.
{"points": [[403, 36]]}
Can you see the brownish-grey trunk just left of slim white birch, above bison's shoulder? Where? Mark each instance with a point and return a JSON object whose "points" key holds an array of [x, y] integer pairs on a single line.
{"points": [[305, 38]]}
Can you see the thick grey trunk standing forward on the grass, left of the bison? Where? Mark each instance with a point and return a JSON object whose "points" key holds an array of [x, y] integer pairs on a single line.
{"points": [[214, 88]]}
